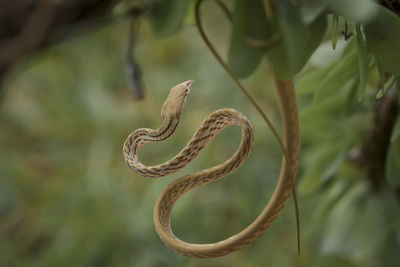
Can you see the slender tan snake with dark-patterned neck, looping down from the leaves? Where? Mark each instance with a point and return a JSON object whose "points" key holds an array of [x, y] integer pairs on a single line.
{"points": [[210, 127]]}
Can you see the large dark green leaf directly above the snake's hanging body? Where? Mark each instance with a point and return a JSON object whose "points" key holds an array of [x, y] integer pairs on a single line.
{"points": [[299, 40]]}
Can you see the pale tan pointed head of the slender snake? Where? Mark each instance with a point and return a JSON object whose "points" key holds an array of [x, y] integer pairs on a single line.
{"points": [[176, 100]]}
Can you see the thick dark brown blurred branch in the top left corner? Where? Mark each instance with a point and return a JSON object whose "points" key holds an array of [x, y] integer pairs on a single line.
{"points": [[29, 26]]}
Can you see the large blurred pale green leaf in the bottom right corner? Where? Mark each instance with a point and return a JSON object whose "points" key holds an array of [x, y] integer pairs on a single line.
{"points": [[359, 212]]}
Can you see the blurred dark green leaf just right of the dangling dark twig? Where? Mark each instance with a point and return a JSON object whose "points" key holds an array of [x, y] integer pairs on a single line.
{"points": [[167, 16]]}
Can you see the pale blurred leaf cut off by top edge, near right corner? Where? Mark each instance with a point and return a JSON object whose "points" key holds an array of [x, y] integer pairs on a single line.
{"points": [[357, 10]]}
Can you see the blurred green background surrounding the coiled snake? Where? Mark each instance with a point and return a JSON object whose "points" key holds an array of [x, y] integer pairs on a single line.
{"points": [[67, 198]]}
